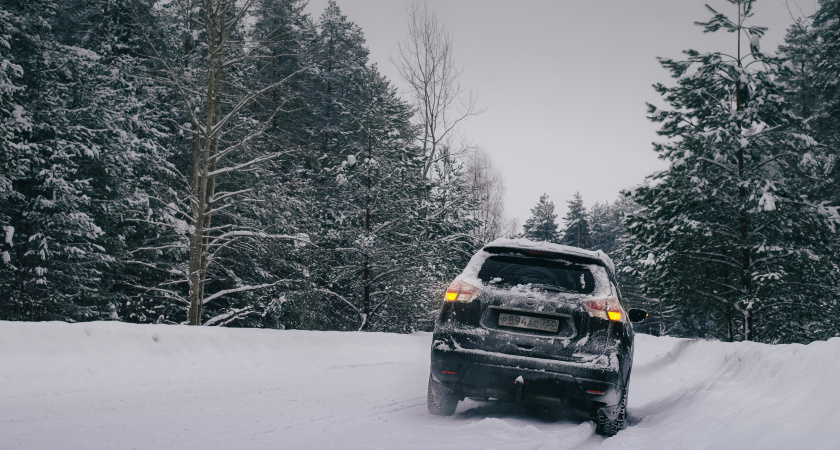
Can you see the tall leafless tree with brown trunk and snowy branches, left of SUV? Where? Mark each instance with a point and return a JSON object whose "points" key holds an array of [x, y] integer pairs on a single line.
{"points": [[214, 94]]}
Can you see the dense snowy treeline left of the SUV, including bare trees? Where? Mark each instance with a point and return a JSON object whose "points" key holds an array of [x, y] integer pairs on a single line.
{"points": [[225, 162]]}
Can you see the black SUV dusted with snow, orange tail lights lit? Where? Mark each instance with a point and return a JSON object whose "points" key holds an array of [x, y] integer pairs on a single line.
{"points": [[538, 323]]}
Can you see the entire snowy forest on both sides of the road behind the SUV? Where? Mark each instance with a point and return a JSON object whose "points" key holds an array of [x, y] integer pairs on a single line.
{"points": [[242, 163]]}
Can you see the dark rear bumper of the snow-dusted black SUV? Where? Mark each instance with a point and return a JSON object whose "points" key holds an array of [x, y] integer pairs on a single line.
{"points": [[482, 374]]}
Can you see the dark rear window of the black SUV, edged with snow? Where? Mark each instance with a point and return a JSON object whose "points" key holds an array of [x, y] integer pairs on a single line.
{"points": [[540, 273]]}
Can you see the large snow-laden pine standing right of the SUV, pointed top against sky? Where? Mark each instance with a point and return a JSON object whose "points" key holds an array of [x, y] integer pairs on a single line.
{"points": [[727, 234]]}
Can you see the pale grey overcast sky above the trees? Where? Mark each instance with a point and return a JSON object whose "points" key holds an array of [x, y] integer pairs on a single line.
{"points": [[564, 83]]}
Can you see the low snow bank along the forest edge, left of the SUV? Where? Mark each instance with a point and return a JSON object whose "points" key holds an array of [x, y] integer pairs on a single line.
{"points": [[56, 355]]}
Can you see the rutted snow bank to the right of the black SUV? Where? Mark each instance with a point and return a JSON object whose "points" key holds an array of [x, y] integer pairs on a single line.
{"points": [[709, 394]]}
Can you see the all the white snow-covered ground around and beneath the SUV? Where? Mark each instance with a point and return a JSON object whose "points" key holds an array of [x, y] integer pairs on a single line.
{"points": [[116, 385]]}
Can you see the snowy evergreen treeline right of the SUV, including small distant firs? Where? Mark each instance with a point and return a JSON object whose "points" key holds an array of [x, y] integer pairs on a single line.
{"points": [[737, 239]]}
